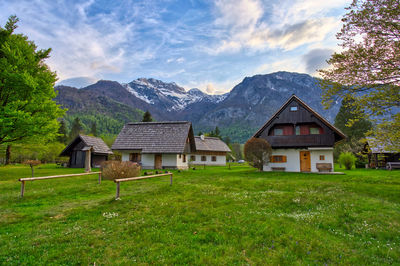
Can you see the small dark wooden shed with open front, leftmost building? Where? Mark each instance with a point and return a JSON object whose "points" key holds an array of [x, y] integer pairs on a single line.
{"points": [[86, 150]]}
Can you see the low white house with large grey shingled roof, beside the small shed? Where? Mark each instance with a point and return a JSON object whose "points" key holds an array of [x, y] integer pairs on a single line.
{"points": [[156, 145]]}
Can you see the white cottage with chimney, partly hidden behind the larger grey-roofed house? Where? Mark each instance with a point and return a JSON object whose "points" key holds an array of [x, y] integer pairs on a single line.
{"points": [[209, 151]]}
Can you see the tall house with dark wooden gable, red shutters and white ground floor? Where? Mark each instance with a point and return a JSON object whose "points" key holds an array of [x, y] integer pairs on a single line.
{"points": [[301, 139]]}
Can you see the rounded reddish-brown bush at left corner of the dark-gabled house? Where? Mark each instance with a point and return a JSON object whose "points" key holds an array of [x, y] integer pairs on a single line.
{"points": [[257, 152]]}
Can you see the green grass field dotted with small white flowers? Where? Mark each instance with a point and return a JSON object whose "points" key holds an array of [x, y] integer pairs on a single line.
{"points": [[212, 216]]}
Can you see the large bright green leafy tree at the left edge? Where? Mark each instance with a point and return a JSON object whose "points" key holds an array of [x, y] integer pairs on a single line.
{"points": [[27, 108]]}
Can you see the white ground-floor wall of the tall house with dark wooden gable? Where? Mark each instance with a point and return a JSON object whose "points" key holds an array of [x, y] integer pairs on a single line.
{"points": [[293, 158]]}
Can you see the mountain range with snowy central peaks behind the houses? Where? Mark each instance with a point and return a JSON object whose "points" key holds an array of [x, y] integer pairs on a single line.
{"points": [[238, 113]]}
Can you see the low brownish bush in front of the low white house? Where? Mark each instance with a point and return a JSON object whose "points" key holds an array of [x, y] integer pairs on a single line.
{"points": [[115, 169]]}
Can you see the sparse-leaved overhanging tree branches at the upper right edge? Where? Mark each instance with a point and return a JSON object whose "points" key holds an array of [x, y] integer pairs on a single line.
{"points": [[367, 68]]}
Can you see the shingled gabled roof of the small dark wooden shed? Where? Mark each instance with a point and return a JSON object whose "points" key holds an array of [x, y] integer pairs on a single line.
{"points": [[96, 144]]}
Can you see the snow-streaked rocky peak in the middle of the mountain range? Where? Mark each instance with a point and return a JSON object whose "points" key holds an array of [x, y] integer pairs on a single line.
{"points": [[168, 95]]}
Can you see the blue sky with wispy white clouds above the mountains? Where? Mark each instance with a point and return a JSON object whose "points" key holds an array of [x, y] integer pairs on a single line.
{"points": [[209, 45]]}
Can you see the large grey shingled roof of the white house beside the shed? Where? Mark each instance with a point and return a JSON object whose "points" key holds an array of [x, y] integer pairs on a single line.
{"points": [[155, 137]]}
